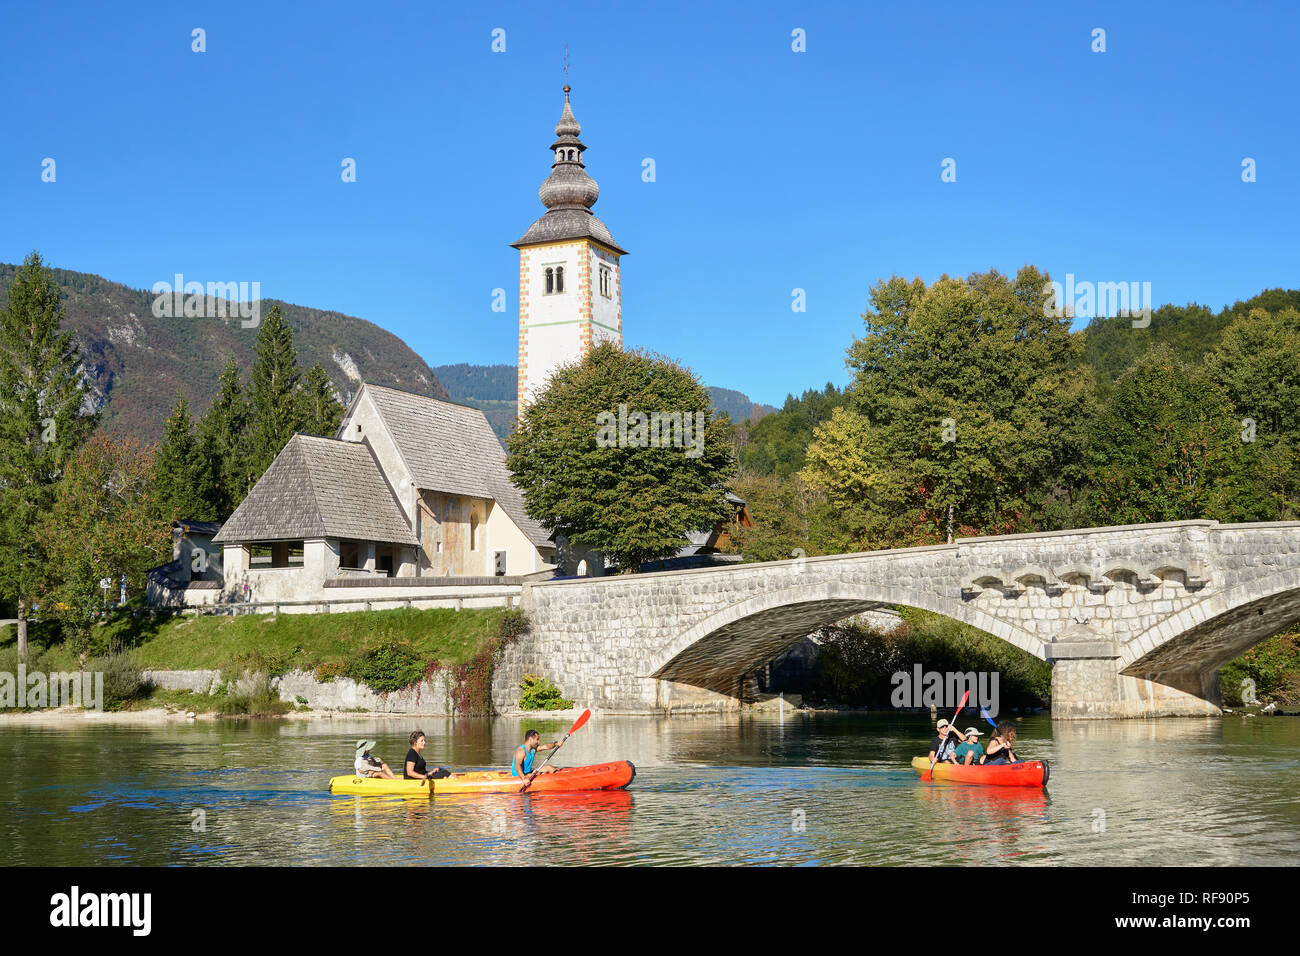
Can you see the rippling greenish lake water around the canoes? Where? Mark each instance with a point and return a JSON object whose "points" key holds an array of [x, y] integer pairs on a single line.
{"points": [[829, 789]]}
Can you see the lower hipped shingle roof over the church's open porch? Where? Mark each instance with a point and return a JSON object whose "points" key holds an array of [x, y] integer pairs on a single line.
{"points": [[320, 488]]}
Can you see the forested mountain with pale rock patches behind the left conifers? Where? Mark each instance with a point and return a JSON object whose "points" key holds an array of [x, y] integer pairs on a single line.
{"points": [[137, 362]]}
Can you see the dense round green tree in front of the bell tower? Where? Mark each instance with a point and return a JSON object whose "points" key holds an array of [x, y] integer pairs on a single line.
{"points": [[622, 453]]}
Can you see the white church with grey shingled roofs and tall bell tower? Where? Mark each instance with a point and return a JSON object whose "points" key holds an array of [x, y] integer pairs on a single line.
{"points": [[413, 494]]}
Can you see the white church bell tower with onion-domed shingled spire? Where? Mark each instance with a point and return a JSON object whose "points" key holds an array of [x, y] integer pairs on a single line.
{"points": [[570, 288]]}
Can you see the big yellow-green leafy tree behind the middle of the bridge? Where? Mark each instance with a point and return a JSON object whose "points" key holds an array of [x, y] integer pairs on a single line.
{"points": [[967, 404]]}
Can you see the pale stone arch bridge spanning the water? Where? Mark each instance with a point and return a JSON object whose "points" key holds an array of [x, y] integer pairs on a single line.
{"points": [[1136, 620]]}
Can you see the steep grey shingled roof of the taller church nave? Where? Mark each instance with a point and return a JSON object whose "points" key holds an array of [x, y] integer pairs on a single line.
{"points": [[450, 448]]}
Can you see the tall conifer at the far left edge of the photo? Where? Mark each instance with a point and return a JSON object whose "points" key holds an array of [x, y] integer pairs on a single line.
{"points": [[44, 422]]}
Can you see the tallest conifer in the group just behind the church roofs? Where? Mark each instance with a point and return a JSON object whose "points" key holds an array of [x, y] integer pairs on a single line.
{"points": [[274, 410]]}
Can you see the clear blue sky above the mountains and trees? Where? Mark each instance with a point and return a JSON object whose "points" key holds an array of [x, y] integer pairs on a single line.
{"points": [[775, 170]]}
